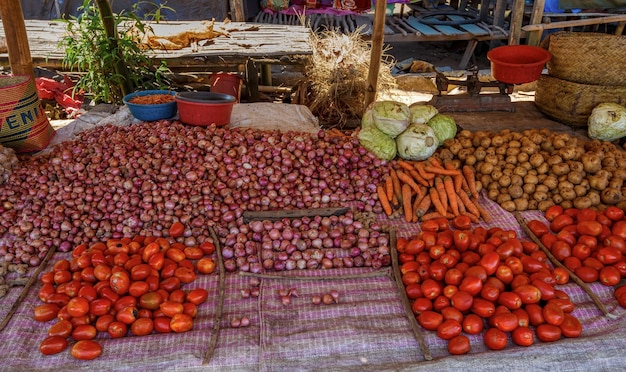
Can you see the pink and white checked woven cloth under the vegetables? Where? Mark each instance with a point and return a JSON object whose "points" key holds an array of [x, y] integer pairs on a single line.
{"points": [[367, 330]]}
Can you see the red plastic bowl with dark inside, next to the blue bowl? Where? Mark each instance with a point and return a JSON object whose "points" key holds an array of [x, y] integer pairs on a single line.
{"points": [[204, 108]]}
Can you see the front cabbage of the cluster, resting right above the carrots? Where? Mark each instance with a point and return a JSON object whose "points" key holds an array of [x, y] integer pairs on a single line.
{"points": [[417, 142]]}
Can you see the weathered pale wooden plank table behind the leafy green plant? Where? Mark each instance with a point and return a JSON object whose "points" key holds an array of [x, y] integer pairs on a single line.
{"points": [[249, 48]]}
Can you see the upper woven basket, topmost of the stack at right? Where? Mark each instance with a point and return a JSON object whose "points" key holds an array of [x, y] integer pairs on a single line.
{"points": [[588, 58]]}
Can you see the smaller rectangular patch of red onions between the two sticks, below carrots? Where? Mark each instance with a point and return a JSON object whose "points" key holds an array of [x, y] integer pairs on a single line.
{"points": [[306, 243]]}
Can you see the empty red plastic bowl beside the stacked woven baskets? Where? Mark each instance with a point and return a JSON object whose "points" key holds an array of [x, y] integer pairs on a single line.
{"points": [[517, 64]]}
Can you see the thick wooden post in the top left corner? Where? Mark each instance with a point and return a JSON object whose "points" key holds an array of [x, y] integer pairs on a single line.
{"points": [[16, 38]]}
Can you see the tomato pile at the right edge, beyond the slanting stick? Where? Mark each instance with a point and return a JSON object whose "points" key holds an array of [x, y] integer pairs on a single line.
{"points": [[589, 243]]}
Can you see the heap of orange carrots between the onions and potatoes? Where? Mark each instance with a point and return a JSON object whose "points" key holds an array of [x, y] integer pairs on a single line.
{"points": [[428, 189]]}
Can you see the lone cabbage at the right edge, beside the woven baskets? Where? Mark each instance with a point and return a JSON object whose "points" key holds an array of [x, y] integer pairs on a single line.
{"points": [[607, 122]]}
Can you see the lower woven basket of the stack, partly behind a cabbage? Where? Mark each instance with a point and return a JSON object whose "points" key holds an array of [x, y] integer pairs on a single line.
{"points": [[571, 103]]}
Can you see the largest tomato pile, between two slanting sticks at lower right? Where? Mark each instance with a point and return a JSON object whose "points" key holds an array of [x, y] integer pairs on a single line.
{"points": [[468, 282]]}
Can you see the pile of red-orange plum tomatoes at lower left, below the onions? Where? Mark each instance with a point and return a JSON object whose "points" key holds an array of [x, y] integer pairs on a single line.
{"points": [[121, 287]]}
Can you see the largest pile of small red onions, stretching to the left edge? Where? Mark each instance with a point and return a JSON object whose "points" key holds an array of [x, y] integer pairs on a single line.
{"points": [[113, 182]]}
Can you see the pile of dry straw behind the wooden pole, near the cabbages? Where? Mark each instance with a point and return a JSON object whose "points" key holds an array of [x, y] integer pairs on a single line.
{"points": [[335, 84]]}
